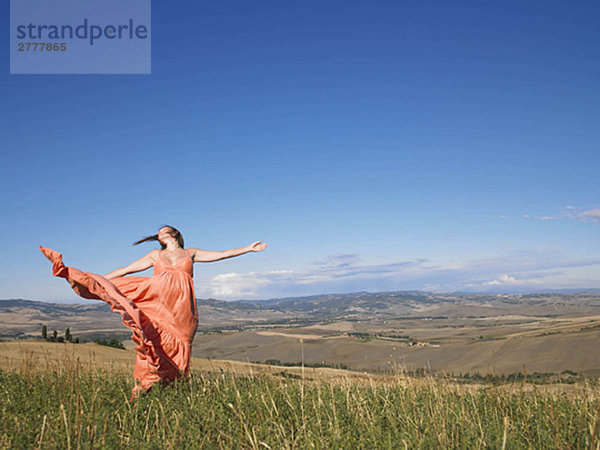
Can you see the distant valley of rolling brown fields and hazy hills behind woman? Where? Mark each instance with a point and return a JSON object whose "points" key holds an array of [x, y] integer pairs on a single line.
{"points": [[364, 331]]}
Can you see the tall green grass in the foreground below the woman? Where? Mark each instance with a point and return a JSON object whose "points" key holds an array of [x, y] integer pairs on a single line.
{"points": [[65, 403]]}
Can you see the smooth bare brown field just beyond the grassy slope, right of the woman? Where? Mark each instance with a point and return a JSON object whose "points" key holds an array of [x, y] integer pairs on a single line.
{"points": [[576, 351]]}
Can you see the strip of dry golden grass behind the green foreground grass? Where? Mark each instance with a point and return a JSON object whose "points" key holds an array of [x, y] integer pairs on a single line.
{"points": [[35, 356]]}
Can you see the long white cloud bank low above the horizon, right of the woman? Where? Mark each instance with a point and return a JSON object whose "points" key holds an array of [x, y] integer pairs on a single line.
{"points": [[347, 273]]}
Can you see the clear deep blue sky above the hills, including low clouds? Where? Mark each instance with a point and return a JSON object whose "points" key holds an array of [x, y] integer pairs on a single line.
{"points": [[374, 146]]}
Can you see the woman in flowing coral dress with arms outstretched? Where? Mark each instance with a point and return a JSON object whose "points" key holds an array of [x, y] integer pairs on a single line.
{"points": [[160, 310]]}
